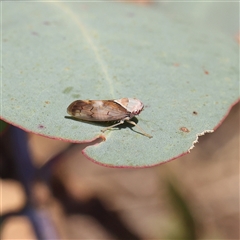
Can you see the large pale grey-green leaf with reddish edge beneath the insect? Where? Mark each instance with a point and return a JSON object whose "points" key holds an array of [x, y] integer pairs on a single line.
{"points": [[54, 53]]}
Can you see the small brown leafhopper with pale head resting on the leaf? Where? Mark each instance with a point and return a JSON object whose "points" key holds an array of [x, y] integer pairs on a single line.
{"points": [[118, 110]]}
